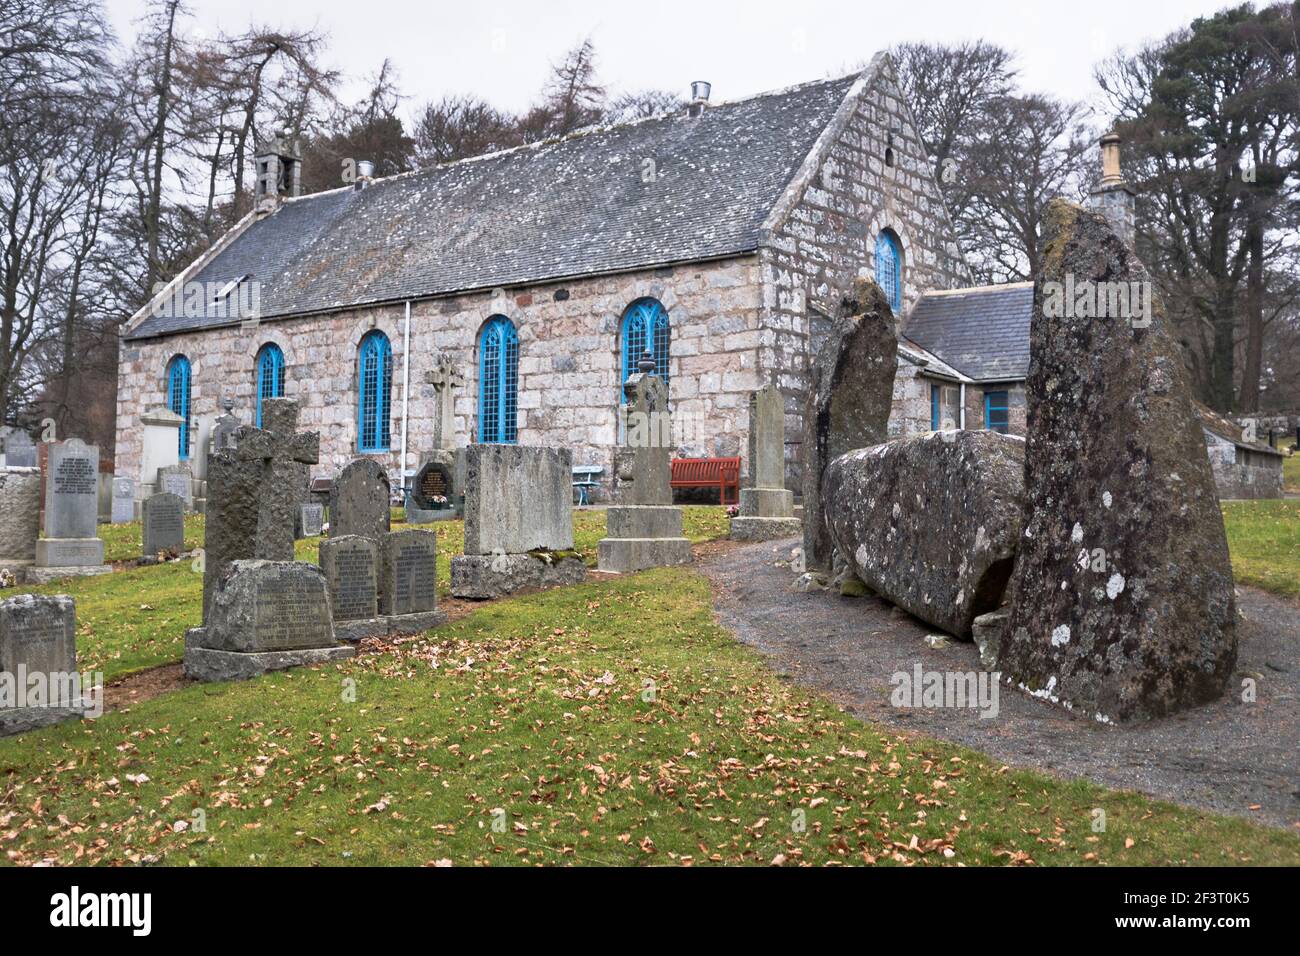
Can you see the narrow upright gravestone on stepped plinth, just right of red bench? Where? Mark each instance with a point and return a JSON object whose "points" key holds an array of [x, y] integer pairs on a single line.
{"points": [[766, 507]]}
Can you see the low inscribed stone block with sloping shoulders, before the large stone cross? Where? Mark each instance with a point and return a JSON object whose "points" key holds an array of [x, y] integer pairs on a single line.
{"points": [[265, 616]]}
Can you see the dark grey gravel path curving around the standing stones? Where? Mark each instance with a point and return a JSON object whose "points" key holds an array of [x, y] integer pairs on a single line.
{"points": [[1228, 758]]}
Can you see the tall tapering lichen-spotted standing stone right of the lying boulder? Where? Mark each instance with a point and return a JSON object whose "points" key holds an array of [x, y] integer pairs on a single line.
{"points": [[1123, 594]]}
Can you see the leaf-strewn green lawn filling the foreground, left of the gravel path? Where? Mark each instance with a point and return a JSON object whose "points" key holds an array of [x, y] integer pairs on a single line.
{"points": [[612, 723]]}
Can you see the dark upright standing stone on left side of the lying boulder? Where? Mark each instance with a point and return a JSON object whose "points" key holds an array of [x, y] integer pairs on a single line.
{"points": [[851, 393]]}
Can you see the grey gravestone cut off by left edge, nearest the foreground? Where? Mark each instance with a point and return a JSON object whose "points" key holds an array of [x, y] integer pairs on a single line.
{"points": [[38, 664]]}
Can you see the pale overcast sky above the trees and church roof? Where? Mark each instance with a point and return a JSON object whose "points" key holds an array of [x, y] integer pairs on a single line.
{"points": [[501, 50]]}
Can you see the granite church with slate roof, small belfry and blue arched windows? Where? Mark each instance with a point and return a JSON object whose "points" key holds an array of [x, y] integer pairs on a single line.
{"points": [[717, 239]]}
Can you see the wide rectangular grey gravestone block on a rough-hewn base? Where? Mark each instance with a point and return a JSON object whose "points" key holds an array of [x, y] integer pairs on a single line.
{"points": [[519, 522]]}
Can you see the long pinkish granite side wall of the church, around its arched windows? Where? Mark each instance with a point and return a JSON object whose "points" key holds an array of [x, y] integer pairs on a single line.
{"points": [[569, 369]]}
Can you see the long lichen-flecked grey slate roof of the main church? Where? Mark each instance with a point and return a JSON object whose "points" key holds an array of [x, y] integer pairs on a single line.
{"points": [[569, 207]]}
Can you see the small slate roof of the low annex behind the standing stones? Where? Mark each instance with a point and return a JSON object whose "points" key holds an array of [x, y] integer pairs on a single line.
{"points": [[983, 332]]}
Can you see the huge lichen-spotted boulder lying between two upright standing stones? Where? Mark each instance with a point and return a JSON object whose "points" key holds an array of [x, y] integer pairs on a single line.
{"points": [[931, 522]]}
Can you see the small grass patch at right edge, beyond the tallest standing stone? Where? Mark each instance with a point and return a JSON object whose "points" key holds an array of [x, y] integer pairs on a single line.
{"points": [[1264, 540]]}
